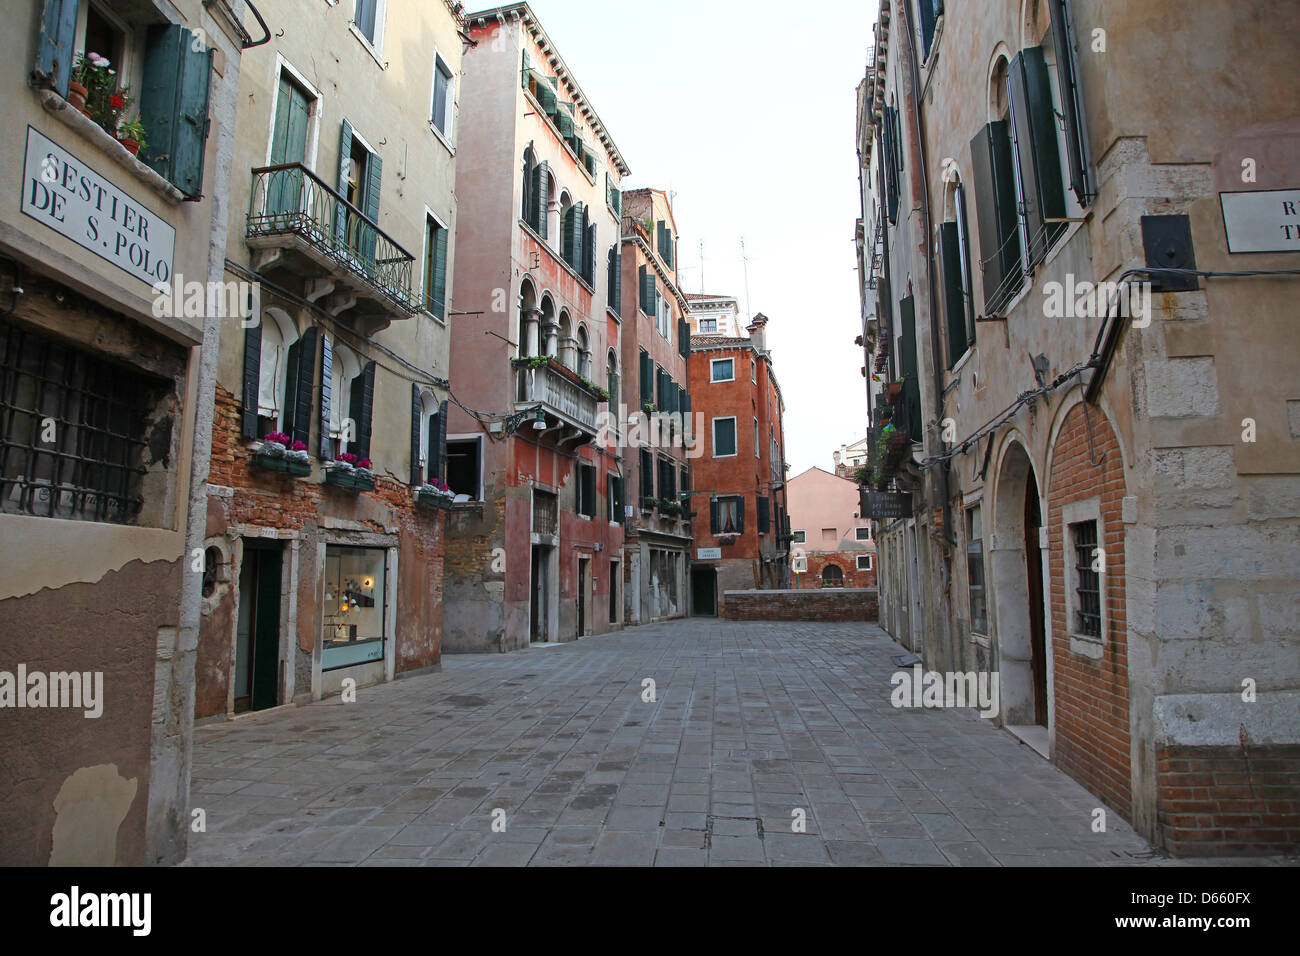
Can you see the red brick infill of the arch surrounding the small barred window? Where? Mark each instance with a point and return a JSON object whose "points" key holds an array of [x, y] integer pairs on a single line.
{"points": [[1091, 694]]}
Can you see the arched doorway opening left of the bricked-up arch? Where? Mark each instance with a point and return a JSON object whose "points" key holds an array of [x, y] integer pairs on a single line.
{"points": [[1016, 561]]}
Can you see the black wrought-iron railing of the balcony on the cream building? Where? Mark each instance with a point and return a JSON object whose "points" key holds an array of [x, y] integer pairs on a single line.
{"points": [[291, 200]]}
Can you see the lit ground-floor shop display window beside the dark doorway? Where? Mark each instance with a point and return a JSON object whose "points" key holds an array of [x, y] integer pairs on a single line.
{"points": [[356, 622]]}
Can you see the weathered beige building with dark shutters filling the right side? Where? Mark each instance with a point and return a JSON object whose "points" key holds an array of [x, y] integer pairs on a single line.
{"points": [[1098, 485]]}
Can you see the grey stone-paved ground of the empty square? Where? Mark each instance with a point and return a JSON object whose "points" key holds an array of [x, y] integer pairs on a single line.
{"points": [[753, 723]]}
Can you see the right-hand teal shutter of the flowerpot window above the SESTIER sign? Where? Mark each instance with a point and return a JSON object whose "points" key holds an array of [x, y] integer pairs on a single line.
{"points": [[175, 106]]}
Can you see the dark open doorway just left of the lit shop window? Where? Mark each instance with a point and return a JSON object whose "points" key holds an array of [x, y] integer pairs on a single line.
{"points": [[257, 673]]}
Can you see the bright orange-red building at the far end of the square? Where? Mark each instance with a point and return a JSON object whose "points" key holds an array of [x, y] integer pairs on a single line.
{"points": [[743, 539]]}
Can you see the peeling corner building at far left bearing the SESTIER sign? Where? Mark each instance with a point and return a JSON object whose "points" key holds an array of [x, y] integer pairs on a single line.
{"points": [[105, 374]]}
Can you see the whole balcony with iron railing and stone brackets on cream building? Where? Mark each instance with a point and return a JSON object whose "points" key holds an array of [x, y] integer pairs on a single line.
{"points": [[302, 231]]}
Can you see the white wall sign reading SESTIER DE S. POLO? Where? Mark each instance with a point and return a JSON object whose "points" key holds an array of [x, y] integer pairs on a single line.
{"points": [[76, 202]]}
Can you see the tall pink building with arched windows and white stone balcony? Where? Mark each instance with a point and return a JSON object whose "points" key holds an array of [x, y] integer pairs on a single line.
{"points": [[535, 354]]}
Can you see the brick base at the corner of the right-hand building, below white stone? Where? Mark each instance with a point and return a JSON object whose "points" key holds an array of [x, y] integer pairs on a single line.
{"points": [[1220, 801]]}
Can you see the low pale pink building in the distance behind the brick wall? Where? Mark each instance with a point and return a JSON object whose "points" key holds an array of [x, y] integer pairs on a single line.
{"points": [[829, 533]]}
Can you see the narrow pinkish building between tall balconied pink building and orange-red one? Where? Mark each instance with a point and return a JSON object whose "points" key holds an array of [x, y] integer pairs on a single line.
{"points": [[658, 436]]}
